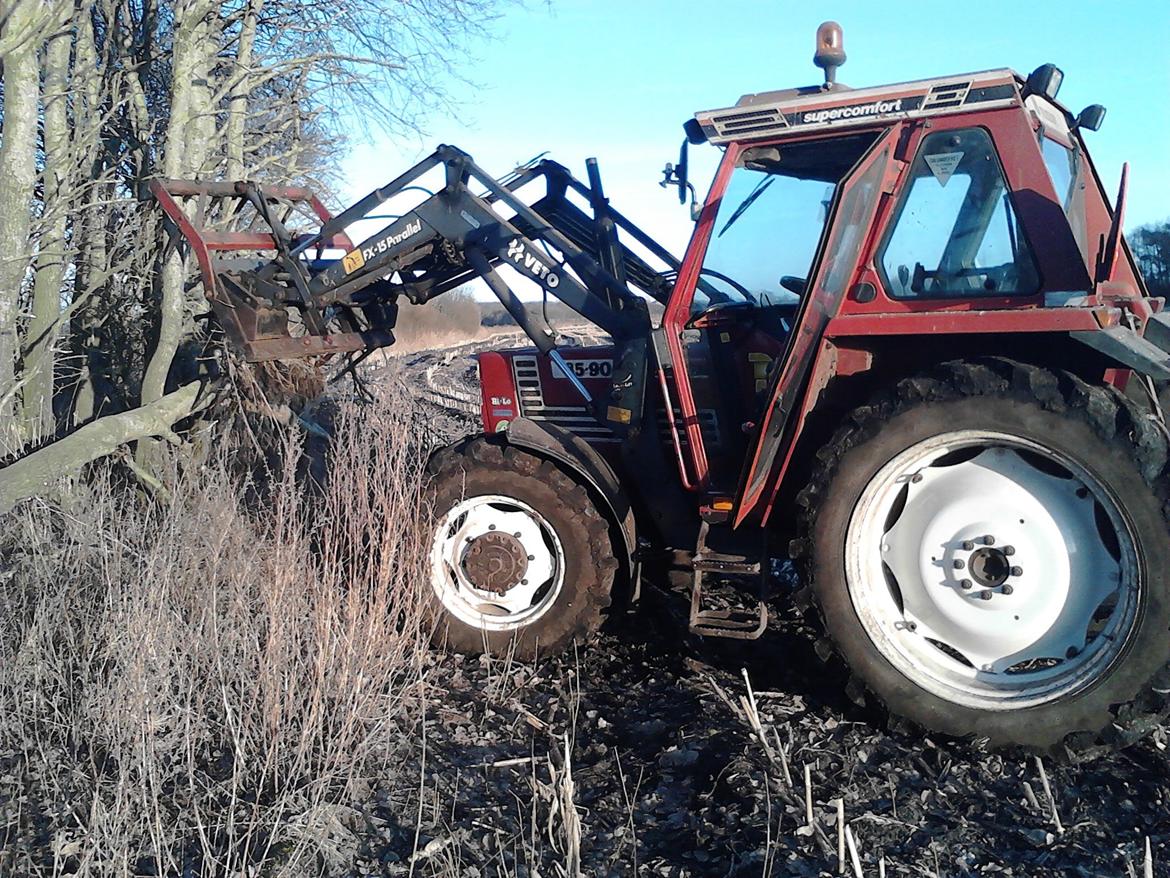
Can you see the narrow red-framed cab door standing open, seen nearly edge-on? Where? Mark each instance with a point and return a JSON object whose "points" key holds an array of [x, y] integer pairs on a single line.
{"points": [[850, 238]]}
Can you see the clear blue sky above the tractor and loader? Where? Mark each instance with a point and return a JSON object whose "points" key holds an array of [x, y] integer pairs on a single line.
{"points": [[617, 79]]}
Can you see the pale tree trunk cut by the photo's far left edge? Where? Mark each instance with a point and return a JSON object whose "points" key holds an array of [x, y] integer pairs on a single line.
{"points": [[18, 177]]}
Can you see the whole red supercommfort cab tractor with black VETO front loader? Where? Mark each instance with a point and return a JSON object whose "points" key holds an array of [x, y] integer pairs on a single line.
{"points": [[897, 352]]}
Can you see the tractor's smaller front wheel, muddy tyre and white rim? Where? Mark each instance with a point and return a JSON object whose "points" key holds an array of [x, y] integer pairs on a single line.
{"points": [[520, 557]]}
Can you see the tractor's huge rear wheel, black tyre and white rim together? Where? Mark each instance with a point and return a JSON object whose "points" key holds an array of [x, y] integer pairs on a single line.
{"points": [[990, 554]]}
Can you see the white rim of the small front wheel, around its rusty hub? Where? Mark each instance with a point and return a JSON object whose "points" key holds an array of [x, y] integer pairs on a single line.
{"points": [[526, 600]]}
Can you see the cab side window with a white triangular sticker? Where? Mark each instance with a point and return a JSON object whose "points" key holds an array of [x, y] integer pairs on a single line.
{"points": [[956, 232]]}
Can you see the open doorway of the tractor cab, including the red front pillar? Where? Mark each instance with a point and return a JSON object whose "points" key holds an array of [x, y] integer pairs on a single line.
{"points": [[729, 320]]}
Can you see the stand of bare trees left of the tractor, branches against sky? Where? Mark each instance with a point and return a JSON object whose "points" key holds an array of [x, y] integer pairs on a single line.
{"points": [[97, 317]]}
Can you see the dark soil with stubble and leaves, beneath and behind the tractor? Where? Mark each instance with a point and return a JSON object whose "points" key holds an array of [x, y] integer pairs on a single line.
{"points": [[671, 779]]}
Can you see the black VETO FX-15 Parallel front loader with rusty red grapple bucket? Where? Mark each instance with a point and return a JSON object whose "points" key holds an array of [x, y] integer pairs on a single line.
{"points": [[287, 300]]}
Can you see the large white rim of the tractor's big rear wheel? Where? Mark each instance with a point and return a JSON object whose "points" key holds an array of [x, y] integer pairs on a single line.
{"points": [[969, 513]]}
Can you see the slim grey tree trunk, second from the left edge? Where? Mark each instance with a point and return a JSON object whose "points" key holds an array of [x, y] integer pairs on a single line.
{"points": [[42, 334]]}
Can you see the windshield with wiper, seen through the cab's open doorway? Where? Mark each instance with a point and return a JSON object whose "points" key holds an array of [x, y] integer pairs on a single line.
{"points": [[770, 221]]}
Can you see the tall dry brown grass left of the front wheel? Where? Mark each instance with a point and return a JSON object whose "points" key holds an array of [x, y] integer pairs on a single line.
{"points": [[196, 688]]}
